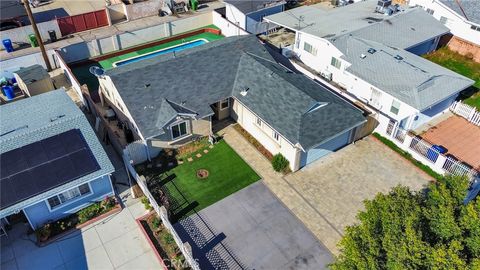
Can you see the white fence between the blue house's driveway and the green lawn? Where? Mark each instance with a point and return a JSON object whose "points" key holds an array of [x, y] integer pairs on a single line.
{"points": [[185, 248]]}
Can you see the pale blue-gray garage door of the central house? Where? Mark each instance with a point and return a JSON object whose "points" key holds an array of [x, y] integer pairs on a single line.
{"points": [[325, 148]]}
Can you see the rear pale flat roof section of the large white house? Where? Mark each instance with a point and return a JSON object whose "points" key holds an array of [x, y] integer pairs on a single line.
{"points": [[404, 29]]}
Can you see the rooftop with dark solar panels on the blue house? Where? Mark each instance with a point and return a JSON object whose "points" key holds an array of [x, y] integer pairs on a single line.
{"points": [[28, 123]]}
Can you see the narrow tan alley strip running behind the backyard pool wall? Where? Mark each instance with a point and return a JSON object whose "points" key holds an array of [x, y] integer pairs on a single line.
{"points": [[108, 31]]}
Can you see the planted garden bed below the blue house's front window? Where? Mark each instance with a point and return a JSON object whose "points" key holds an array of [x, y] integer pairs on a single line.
{"points": [[88, 215]]}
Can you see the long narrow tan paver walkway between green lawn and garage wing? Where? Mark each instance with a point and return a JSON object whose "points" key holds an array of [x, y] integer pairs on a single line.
{"points": [[293, 200]]}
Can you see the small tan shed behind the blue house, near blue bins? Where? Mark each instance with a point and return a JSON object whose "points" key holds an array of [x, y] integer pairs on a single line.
{"points": [[33, 80]]}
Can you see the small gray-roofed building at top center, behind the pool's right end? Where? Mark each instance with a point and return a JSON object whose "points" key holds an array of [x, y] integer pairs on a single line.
{"points": [[249, 14]]}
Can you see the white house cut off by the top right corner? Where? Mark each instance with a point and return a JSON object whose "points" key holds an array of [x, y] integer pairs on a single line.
{"points": [[462, 17]]}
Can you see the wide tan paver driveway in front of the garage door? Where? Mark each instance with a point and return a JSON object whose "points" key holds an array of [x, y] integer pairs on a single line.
{"points": [[335, 187]]}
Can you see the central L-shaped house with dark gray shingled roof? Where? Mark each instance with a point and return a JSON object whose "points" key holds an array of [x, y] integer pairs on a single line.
{"points": [[173, 99]]}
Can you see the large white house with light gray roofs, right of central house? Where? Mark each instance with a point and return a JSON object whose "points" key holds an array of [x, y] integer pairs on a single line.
{"points": [[374, 57]]}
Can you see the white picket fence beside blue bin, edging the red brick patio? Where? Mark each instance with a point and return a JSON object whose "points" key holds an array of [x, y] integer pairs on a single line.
{"points": [[423, 151]]}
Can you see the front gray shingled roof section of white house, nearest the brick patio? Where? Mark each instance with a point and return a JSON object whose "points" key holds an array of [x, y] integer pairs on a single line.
{"points": [[406, 76]]}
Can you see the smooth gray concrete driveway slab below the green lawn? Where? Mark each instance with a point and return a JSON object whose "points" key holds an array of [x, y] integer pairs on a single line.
{"points": [[252, 229]]}
